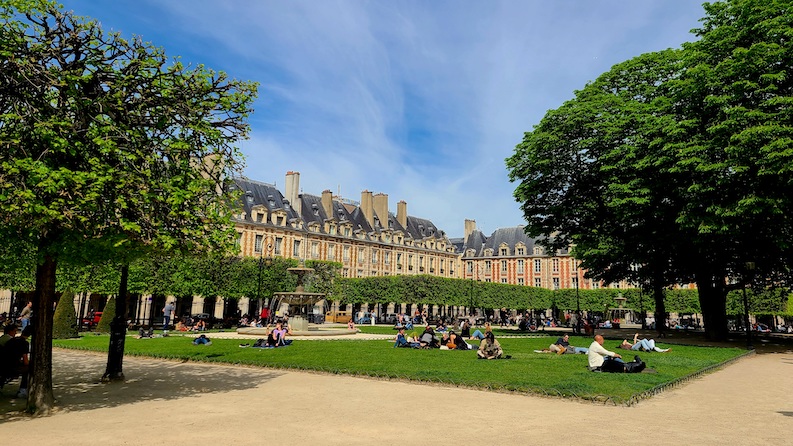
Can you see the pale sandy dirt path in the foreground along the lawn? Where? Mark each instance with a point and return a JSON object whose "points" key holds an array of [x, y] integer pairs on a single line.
{"points": [[164, 402]]}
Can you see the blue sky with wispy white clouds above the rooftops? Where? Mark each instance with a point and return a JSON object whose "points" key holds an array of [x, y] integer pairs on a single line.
{"points": [[420, 100]]}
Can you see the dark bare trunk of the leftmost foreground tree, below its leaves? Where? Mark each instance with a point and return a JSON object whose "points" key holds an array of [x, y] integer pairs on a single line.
{"points": [[40, 396]]}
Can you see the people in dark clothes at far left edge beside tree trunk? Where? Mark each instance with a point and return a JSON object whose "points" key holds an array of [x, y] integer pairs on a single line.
{"points": [[15, 356]]}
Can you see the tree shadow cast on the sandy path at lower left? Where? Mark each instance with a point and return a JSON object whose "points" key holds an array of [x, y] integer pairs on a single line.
{"points": [[77, 387]]}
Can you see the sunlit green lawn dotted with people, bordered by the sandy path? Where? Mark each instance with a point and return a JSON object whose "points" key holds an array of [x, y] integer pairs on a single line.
{"points": [[527, 371]]}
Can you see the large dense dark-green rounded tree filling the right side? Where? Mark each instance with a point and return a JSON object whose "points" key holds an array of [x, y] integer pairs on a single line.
{"points": [[675, 166]]}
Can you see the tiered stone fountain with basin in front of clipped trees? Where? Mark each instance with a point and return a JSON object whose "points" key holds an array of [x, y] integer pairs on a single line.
{"points": [[300, 302]]}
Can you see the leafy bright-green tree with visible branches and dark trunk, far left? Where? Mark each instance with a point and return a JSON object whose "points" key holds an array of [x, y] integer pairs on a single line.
{"points": [[107, 138]]}
